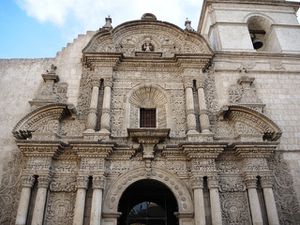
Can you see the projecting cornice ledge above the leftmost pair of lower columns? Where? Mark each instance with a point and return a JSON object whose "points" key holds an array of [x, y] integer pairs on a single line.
{"points": [[47, 149]]}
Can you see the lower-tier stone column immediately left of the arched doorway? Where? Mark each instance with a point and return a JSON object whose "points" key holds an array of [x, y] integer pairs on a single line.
{"points": [[98, 185]]}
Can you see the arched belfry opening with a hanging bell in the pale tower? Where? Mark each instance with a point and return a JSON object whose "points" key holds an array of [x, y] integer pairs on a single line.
{"points": [[260, 33]]}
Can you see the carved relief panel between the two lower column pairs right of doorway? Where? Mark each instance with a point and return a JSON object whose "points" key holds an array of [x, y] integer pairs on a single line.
{"points": [[235, 210]]}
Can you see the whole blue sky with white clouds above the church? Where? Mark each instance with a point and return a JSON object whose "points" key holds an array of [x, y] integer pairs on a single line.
{"points": [[40, 28]]}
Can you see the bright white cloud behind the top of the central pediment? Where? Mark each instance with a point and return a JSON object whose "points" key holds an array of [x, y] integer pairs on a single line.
{"points": [[90, 14]]}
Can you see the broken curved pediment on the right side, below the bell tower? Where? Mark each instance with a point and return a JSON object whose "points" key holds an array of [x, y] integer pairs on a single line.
{"points": [[247, 124]]}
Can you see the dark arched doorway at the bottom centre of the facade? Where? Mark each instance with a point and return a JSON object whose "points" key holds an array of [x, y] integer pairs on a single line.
{"points": [[147, 202]]}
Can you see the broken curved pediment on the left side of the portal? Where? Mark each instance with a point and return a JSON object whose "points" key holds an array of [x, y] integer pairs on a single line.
{"points": [[41, 120]]}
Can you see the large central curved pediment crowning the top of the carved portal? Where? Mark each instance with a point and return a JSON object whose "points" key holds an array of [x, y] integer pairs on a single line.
{"points": [[148, 35]]}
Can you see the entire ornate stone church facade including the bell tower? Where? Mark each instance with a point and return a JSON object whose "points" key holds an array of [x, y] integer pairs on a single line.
{"points": [[150, 124]]}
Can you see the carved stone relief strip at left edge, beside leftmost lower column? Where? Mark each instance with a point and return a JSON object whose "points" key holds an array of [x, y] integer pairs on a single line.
{"points": [[10, 189]]}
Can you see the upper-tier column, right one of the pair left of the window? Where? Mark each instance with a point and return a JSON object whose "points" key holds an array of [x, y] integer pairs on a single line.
{"points": [[105, 117]]}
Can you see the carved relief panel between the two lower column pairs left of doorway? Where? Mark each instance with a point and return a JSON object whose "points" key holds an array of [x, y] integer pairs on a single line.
{"points": [[60, 208]]}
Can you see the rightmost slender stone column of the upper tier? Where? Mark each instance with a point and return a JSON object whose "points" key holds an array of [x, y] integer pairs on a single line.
{"points": [[203, 117]]}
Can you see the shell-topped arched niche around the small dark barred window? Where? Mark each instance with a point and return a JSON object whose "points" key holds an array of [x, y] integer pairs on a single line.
{"points": [[148, 105]]}
